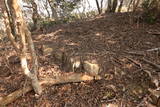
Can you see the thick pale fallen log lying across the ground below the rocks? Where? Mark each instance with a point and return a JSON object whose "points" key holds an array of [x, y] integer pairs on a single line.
{"points": [[67, 78]]}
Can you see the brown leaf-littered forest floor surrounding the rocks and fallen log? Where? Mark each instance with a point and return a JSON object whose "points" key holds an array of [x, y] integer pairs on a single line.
{"points": [[119, 44]]}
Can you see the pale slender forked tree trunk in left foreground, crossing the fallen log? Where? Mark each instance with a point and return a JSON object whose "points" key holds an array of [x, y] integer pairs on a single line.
{"points": [[25, 34]]}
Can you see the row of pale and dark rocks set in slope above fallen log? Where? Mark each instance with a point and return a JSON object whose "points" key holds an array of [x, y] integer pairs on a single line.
{"points": [[73, 62]]}
